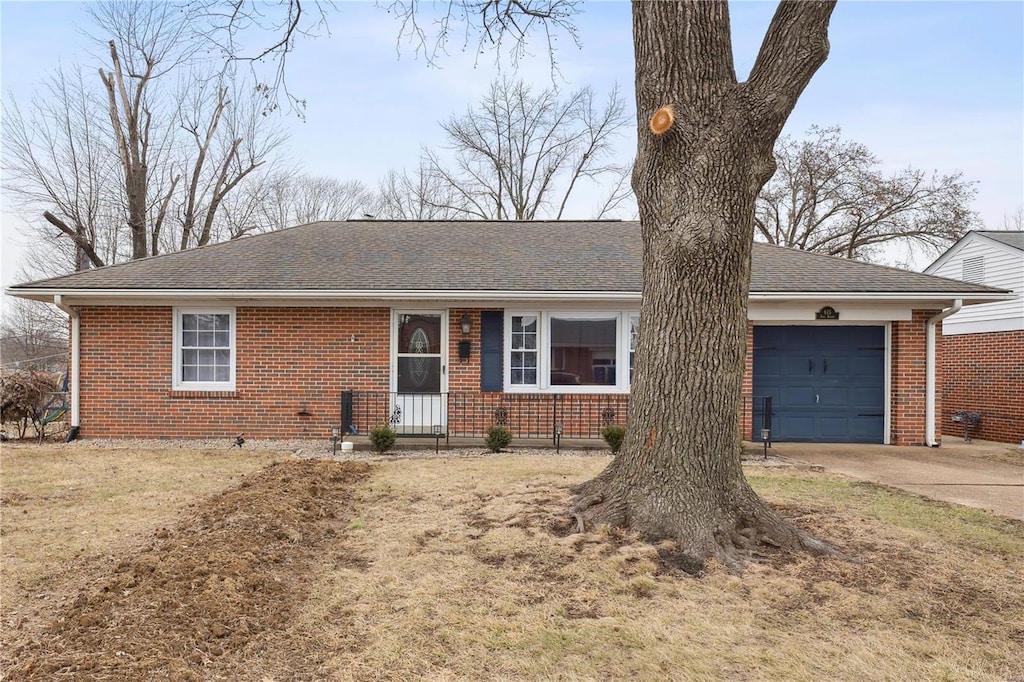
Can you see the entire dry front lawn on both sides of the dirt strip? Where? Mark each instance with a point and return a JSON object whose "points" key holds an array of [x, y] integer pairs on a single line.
{"points": [[450, 570]]}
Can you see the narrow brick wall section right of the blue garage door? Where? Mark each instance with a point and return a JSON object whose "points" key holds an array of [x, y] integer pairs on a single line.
{"points": [[909, 367]]}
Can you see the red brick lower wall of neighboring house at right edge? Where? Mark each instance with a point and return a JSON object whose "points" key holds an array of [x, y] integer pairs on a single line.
{"points": [[985, 373]]}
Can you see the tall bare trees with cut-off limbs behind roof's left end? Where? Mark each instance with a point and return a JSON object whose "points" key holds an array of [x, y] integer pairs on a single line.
{"points": [[139, 160]]}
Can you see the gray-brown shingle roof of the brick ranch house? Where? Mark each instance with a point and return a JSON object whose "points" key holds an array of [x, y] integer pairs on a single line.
{"points": [[538, 257]]}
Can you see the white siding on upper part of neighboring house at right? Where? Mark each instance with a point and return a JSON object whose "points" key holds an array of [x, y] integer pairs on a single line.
{"points": [[1004, 269]]}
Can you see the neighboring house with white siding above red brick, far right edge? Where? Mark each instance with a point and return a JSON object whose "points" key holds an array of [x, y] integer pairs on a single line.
{"points": [[984, 346]]}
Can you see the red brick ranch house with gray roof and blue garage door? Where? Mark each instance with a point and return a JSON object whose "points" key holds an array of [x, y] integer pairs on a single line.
{"points": [[452, 327]]}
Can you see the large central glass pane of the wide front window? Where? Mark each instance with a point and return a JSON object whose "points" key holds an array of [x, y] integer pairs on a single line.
{"points": [[583, 353]]}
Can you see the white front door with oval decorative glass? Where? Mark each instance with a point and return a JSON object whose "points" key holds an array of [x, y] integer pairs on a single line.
{"points": [[419, 372]]}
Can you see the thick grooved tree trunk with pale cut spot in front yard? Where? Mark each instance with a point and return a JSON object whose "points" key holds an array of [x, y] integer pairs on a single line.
{"points": [[679, 474]]}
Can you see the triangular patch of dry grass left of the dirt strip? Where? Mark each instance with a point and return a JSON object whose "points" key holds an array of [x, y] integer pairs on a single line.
{"points": [[69, 511]]}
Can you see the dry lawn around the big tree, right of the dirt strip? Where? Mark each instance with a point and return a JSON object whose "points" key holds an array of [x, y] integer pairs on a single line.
{"points": [[460, 580]]}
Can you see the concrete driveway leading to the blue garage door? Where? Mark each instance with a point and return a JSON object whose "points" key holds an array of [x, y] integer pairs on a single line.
{"points": [[957, 473]]}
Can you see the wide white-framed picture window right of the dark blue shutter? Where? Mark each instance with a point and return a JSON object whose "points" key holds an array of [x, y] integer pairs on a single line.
{"points": [[570, 352]]}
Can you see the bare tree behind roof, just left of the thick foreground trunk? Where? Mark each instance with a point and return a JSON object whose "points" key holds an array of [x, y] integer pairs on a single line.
{"points": [[521, 155]]}
